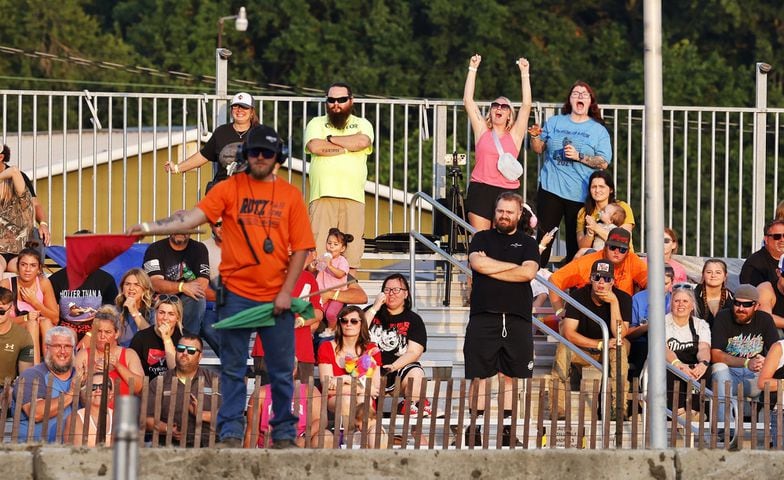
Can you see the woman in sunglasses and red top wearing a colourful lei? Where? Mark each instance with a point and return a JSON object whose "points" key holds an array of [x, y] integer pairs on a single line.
{"points": [[352, 341]]}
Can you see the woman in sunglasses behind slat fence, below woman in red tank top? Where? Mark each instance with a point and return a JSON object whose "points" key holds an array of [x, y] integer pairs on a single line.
{"points": [[91, 393]]}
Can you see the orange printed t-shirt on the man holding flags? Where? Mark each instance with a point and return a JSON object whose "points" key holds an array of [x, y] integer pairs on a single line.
{"points": [[266, 209]]}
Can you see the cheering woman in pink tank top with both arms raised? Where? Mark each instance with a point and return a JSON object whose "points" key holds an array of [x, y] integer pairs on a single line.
{"points": [[487, 181]]}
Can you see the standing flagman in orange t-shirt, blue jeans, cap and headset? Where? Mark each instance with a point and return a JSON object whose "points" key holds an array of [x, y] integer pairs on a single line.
{"points": [[263, 216]]}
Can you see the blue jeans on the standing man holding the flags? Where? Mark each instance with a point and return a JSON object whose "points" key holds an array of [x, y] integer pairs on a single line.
{"points": [[278, 342]]}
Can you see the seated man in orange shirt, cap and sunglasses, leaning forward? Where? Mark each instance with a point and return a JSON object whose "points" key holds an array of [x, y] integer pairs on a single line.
{"points": [[630, 270]]}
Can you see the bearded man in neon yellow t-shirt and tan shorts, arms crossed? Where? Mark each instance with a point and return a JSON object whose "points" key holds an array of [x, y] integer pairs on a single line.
{"points": [[339, 144]]}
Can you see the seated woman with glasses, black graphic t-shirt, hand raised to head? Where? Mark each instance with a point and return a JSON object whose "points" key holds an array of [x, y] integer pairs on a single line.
{"points": [[401, 336]]}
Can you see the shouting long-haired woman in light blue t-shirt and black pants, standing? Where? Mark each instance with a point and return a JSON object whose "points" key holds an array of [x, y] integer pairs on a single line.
{"points": [[574, 144]]}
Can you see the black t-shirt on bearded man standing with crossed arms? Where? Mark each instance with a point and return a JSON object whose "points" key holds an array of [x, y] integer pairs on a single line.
{"points": [[491, 295]]}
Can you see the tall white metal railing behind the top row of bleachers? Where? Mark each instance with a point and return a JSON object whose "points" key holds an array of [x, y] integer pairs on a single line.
{"points": [[708, 157]]}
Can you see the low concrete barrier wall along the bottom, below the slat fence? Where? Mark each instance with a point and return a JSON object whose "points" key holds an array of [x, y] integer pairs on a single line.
{"points": [[43, 462]]}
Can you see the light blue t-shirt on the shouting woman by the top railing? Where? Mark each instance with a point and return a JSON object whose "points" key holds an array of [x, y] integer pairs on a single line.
{"points": [[563, 177]]}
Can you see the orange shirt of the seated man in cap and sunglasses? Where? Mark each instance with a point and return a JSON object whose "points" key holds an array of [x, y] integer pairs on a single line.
{"points": [[577, 273]]}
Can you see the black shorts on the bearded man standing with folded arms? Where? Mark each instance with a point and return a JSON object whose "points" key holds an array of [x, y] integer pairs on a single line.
{"points": [[487, 351]]}
